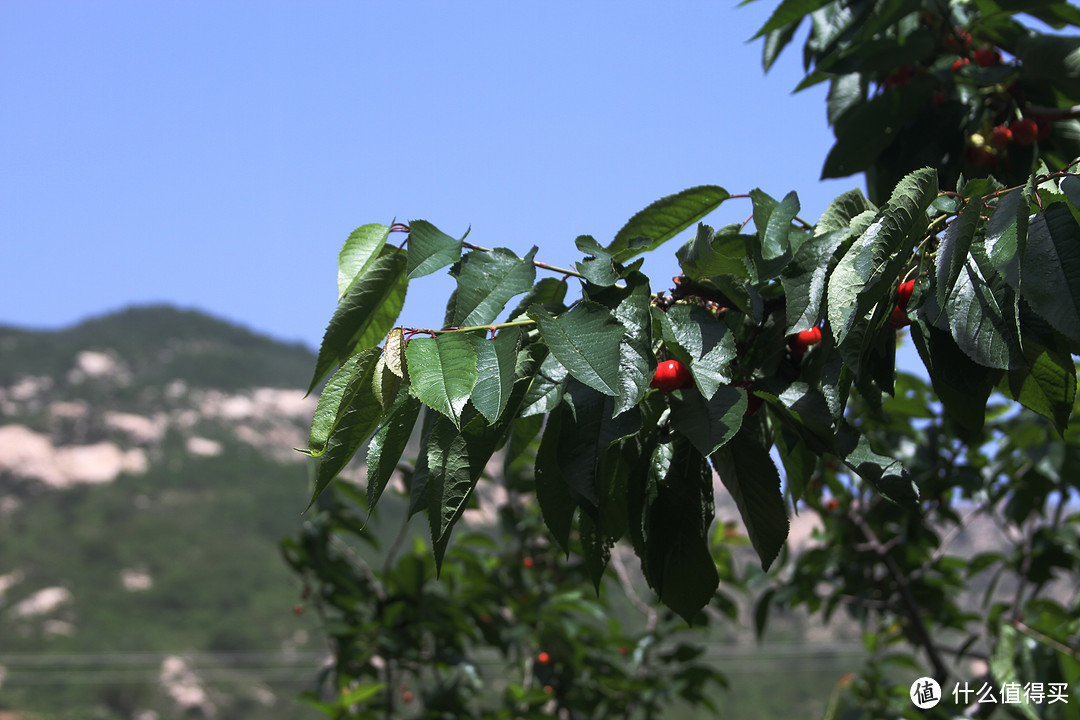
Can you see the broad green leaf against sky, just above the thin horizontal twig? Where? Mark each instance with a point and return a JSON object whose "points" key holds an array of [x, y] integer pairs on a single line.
{"points": [[487, 282]]}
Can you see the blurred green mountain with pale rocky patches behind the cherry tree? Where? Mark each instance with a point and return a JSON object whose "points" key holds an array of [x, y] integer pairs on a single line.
{"points": [[146, 478]]}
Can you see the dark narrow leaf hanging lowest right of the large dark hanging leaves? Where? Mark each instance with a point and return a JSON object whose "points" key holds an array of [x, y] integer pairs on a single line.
{"points": [[751, 479]]}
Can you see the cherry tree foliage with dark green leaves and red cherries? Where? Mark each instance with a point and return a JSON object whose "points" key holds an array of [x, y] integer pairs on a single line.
{"points": [[778, 337]]}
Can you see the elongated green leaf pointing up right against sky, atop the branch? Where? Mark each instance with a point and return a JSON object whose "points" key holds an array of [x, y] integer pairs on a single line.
{"points": [[665, 220]]}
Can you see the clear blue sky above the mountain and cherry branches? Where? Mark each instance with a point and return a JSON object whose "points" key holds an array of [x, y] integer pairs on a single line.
{"points": [[215, 156]]}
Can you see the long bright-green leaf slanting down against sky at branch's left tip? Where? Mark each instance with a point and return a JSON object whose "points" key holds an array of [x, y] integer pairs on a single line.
{"points": [[366, 315]]}
